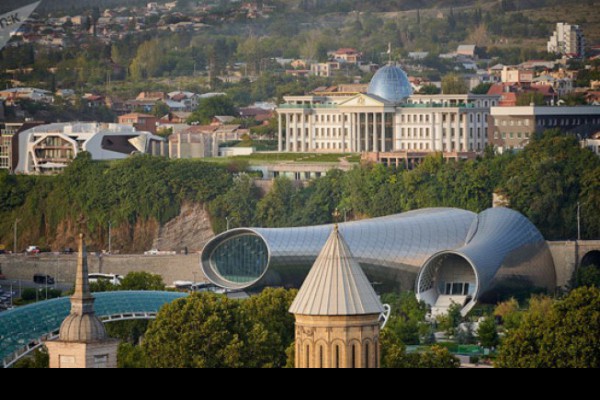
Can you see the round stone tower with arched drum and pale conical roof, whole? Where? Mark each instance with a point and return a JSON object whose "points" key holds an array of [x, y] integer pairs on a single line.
{"points": [[337, 313]]}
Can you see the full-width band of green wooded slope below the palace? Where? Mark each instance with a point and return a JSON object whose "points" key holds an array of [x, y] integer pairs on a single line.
{"points": [[138, 195]]}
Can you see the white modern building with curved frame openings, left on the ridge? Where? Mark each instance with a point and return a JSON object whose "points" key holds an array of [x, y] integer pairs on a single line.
{"points": [[50, 148]]}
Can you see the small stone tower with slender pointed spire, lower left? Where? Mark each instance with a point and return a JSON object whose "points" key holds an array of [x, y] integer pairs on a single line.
{"points": [[83, 341]]}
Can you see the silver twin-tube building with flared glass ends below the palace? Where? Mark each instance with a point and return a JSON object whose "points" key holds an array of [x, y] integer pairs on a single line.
{"points": [[448, 252]]}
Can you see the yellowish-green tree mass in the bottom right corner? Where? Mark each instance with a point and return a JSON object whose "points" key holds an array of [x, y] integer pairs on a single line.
{"points": [[563, 336]]}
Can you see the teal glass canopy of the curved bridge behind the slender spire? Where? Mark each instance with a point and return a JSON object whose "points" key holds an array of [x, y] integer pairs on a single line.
{"points": [[23, 325]]}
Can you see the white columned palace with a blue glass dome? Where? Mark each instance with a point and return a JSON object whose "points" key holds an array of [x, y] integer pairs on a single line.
{"points": [[386, 119]]}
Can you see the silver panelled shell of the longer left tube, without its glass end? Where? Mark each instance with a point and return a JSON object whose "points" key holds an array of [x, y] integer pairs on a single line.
{"points": [[403, 241]]}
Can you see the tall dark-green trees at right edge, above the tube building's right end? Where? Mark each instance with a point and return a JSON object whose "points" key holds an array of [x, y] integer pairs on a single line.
{"points": [[547, 180]]}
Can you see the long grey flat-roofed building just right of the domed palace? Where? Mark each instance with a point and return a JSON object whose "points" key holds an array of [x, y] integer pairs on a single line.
{"points": [[511, 128]]}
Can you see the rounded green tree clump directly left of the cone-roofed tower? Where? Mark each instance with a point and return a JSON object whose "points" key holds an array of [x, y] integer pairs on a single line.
{"points": [[209, 331]]}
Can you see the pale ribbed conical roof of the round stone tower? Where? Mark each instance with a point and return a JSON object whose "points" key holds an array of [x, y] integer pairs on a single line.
{"points": [[336, 285]]}
